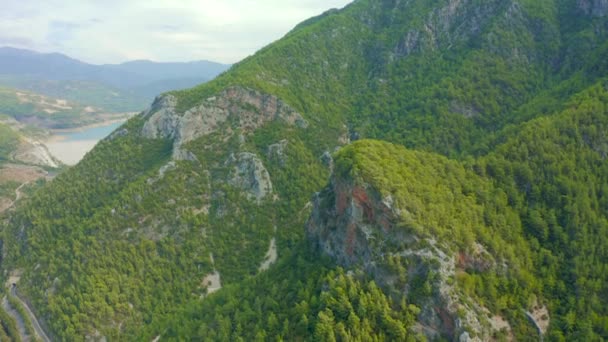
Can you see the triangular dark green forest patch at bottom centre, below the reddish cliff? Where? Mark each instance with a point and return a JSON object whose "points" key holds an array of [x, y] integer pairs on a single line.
{"points": [[303, 299]]}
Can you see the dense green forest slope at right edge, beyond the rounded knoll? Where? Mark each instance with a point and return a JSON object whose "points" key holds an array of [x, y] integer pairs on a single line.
{"points": [[555, 174]]}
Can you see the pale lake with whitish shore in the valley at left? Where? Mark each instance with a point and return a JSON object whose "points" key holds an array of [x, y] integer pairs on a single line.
{"points": [[71, 146]]}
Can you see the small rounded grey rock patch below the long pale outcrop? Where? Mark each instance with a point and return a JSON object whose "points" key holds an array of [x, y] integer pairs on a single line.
{"points": [[250, 175]]}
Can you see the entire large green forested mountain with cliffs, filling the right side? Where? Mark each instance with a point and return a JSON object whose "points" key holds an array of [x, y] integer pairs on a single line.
{"points": [[473, 207]]}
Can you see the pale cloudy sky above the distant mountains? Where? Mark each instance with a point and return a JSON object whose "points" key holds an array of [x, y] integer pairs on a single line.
{"points": [[115, 31]]}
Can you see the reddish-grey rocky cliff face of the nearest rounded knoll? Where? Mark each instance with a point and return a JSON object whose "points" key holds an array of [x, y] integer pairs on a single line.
{"points": [[360, 229]]}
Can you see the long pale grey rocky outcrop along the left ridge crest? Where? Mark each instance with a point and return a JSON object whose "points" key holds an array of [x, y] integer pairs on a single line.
{"points": [[245, 109]]}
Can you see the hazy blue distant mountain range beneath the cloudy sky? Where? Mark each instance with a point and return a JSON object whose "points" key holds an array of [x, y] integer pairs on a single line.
{"points": [[114, 87]]}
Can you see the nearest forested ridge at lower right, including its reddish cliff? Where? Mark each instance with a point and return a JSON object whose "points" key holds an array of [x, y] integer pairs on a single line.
{"points": [[519, 230]]}
